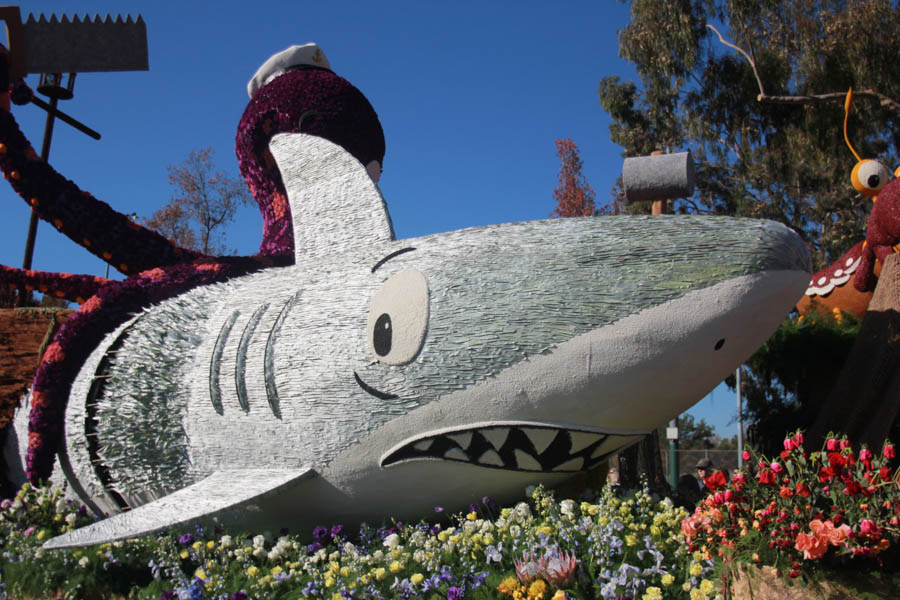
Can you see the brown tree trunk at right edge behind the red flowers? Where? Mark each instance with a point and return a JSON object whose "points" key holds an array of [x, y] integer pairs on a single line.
{"points": [[865, 401]]}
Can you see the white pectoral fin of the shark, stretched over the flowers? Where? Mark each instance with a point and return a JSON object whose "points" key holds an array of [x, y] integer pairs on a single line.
{"points": [[207, 500]]}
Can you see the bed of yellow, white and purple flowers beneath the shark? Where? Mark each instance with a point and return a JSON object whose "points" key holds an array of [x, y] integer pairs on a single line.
{"points": [[614, 547]]}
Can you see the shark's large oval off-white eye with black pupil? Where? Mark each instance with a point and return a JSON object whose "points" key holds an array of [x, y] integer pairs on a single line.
{"points": [[398, 318]]}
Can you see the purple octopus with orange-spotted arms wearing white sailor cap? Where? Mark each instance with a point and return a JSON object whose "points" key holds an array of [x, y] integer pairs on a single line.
{"points": [[294, 91]]}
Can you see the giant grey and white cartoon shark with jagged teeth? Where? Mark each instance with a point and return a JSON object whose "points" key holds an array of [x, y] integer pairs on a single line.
{"points": [[376, 376]]}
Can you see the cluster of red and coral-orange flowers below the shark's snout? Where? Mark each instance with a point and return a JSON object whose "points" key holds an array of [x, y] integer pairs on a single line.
{"points": [[805, 516]]}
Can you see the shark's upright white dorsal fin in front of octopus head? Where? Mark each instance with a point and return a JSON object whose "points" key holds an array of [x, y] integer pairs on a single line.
{"points": [[335, 205]]}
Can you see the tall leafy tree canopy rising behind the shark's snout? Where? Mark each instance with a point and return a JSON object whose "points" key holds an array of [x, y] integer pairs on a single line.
{"points": [[755, 89]]}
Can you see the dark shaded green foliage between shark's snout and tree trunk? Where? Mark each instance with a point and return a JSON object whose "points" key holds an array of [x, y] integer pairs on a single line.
{"points": [[788, 379]]}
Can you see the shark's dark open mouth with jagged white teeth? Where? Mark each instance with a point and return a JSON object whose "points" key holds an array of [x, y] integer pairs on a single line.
{"points": [[531, 447]]}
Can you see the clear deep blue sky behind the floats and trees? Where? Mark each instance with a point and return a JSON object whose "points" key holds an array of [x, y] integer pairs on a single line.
{"points": [[471, 96]]}
